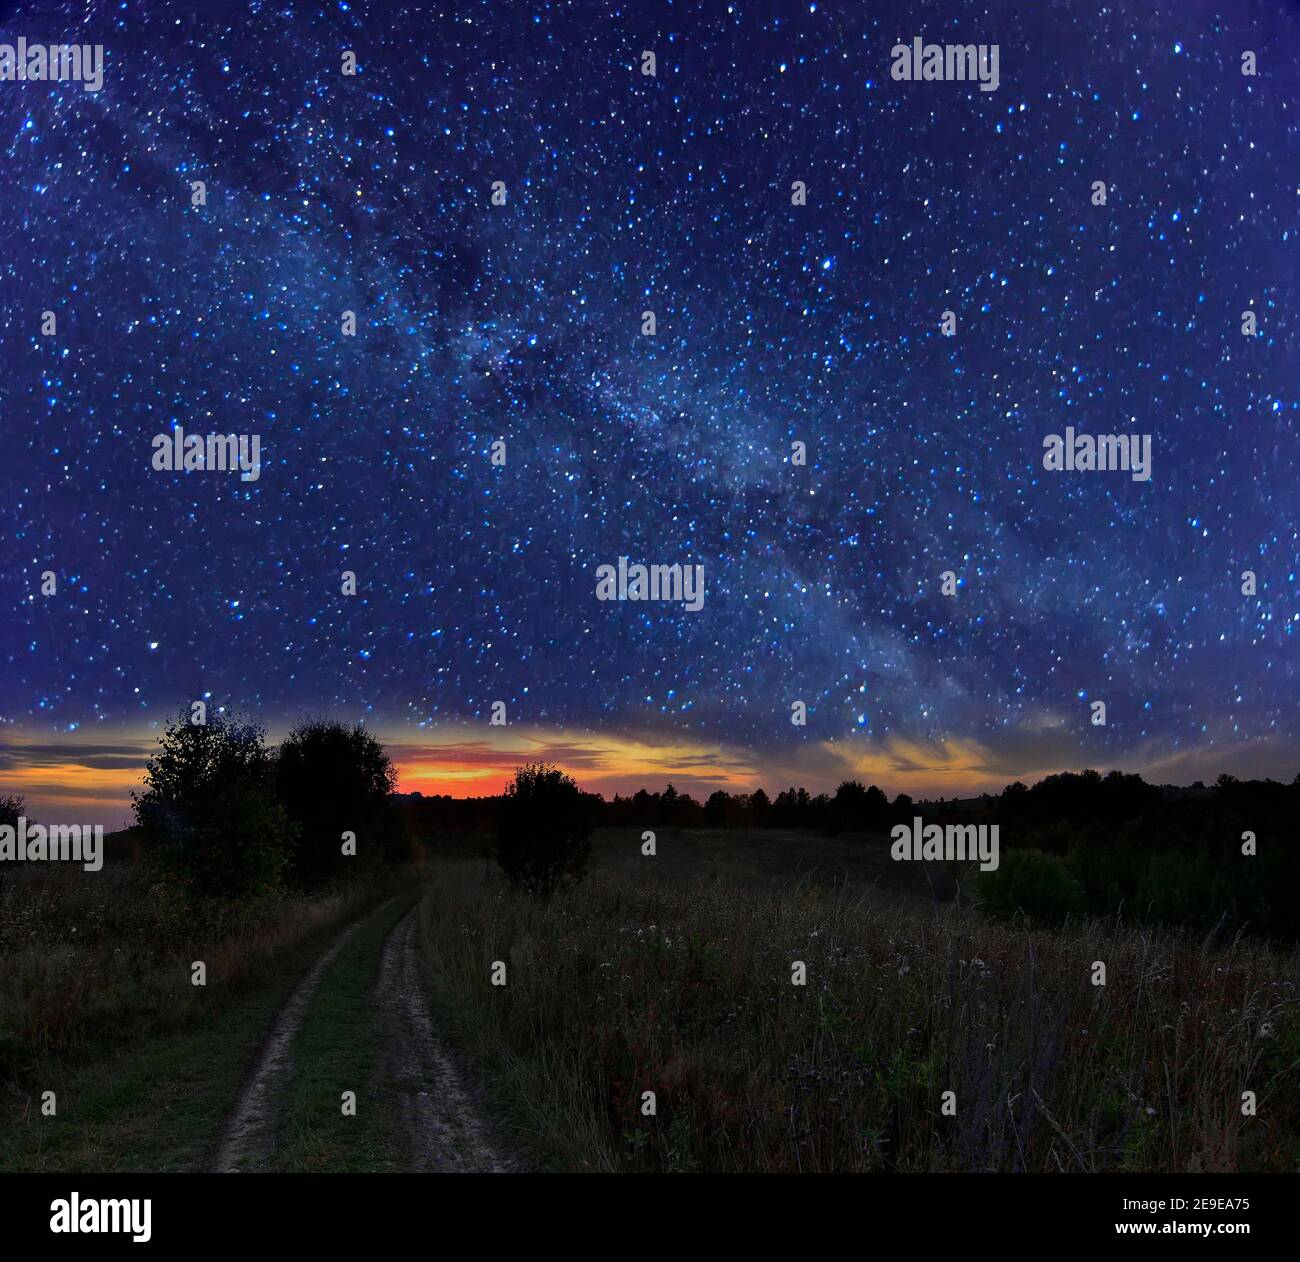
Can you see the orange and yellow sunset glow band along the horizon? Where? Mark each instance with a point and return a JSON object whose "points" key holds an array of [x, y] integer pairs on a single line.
{"points": [[70, 778]]}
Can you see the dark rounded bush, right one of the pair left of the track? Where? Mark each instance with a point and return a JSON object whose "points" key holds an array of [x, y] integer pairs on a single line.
{"points": [[333, 779]]}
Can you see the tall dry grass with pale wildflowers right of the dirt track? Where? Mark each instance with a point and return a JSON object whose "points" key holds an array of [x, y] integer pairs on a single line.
{"points": [[638, 983]]}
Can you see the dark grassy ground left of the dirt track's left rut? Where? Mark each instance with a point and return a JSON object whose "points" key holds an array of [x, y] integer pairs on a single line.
{"points": [[97, 1005]]}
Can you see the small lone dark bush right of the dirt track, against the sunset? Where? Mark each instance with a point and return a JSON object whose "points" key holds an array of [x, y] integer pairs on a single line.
{"points": [[541, 830]]}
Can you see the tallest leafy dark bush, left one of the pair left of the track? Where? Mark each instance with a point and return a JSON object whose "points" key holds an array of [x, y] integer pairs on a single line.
{"points": [[209, 813]]}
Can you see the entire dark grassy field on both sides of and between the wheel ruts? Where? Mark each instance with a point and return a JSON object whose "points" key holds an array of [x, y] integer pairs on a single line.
{"points": [[671, 975]]}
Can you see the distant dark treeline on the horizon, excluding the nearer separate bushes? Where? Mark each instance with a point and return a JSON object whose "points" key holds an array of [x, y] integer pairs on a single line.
{"points": [[1220, 858]]}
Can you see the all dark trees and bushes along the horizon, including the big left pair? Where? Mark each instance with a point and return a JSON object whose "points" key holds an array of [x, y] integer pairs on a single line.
{"points": [[224, 816]]}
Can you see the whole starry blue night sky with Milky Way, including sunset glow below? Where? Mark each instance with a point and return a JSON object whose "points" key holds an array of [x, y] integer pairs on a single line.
{"points": [[775, 323]]}
